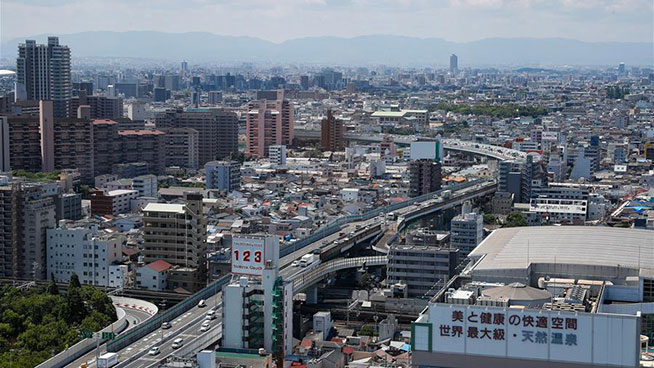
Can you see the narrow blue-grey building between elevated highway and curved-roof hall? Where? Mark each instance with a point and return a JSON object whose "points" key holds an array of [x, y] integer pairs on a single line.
{"points": [[467, 230]]}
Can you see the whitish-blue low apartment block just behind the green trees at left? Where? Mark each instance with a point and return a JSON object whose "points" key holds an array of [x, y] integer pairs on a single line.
{"points": [[89, 252]]}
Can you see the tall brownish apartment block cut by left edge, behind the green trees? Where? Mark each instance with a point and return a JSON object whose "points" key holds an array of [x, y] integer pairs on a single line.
{"points": [[26, 211]]}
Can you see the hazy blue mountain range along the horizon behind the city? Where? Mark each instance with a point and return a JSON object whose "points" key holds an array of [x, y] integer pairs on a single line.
{"points": [[363, 50]]}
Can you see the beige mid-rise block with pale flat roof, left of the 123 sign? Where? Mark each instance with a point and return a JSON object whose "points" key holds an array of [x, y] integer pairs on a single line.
{"points": [[177, 234]]}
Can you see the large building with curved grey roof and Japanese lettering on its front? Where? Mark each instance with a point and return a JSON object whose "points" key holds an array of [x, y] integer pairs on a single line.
{"points": [[570, 296]]}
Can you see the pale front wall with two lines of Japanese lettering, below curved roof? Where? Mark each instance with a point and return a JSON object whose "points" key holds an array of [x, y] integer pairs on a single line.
{"points": [[479, 336]]}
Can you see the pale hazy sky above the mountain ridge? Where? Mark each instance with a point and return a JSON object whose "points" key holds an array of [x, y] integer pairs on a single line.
{"points": [[279, 20]]}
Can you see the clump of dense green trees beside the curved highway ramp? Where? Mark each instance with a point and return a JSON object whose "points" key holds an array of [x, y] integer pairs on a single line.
{"points": [[38, 322]]}
